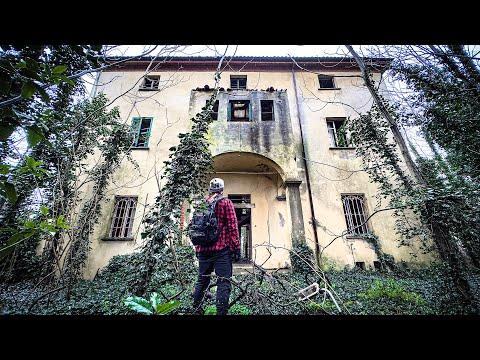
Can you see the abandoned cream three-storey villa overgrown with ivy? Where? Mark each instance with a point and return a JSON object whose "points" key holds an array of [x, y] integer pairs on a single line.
{"points": [[276, 140]]}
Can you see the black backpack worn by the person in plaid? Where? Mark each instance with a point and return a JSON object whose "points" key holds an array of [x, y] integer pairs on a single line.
{"points": [[203, 228]]}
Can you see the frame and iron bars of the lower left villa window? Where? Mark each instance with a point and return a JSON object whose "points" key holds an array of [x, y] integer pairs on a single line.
{"points": [[114, 228]]}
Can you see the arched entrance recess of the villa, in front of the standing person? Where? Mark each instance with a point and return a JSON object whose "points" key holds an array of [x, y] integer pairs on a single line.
{"points": [[254, 183]]}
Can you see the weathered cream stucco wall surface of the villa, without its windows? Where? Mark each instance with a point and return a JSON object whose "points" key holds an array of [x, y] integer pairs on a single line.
{"points": [[279, 141]]}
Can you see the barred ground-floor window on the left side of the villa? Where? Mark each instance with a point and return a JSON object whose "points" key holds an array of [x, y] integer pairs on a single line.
{"points": [[123, 216]]}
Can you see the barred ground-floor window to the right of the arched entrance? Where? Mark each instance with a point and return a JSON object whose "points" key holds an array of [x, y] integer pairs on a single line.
{"points": [[355, 214]]}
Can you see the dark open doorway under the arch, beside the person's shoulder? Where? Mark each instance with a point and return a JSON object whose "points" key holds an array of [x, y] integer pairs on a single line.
{"points": [[243, 210]]}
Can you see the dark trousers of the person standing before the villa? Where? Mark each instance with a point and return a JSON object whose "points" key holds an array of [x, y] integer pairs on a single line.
{"points": [[221, 262]]}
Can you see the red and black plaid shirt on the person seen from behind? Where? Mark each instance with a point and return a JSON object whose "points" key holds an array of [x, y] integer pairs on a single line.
{"points": [[227, 223]]}
